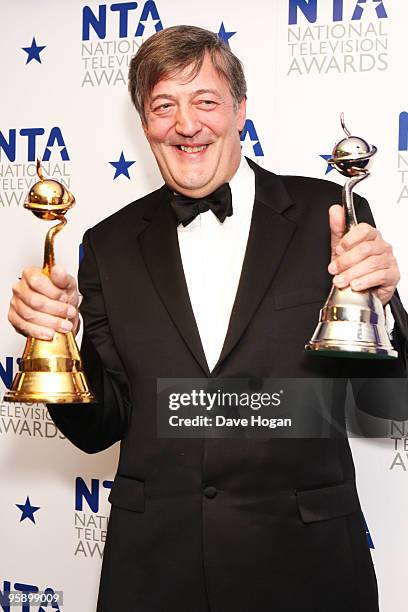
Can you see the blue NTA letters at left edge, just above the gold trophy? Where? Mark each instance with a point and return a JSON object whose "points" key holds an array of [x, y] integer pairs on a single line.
{"points": [[28, 137]]}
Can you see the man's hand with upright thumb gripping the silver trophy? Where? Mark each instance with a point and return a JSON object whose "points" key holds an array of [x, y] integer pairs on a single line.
{"points": [[361, 258]]}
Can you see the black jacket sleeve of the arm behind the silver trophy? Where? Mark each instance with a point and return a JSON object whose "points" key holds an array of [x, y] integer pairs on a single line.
{"points": [[385, 393]]}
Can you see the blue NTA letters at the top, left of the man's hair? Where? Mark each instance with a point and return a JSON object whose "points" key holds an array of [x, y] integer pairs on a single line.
{"points": [[98, 22]]}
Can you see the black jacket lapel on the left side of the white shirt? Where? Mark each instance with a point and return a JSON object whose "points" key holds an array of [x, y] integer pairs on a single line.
{"points": [[161, 253]]}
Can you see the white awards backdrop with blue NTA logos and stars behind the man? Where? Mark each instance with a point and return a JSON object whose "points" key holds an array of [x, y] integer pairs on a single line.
{"points": [[64, 98]]}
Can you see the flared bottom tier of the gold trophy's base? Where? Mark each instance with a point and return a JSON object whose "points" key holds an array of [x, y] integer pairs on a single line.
{"points": [[50, 388]]}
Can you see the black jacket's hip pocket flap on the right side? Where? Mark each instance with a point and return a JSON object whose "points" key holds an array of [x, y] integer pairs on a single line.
{"points": [[327, 502]]}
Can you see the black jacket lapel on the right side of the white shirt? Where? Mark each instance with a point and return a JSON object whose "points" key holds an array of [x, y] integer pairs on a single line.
{"points": [[268, 239]]}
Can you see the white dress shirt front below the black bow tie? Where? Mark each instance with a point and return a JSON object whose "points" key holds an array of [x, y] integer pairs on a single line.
{"points": [[212, 254]]}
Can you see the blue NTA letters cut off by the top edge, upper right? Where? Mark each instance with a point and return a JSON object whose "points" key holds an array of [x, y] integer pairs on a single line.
{"points": [[309, 9]]}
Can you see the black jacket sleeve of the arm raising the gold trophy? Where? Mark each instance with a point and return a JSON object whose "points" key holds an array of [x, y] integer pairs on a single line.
{"points": [[95, 427]]}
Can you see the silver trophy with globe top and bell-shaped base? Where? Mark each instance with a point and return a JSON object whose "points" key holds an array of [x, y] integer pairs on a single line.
{"points": [[351, 323]]}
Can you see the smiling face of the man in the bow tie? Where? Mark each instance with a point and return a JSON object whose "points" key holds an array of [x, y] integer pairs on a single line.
{"points": [[193, 130]]}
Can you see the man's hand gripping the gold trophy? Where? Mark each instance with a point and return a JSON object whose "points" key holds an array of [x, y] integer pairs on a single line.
{"points": [[41, 305]]}
